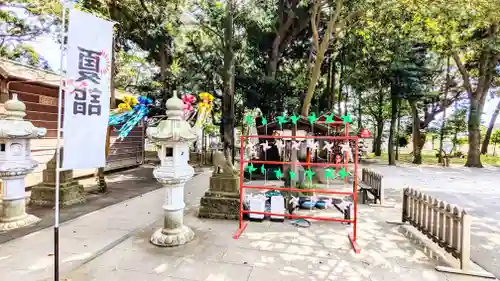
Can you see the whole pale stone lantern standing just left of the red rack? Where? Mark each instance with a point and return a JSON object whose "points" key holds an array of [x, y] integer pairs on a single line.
{"points": [[173, 135]]}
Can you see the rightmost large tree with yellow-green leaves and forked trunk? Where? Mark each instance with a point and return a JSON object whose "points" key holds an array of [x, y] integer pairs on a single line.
{"points": [[471, 32]]}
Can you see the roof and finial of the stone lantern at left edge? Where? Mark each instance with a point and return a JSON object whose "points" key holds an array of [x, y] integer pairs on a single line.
{"points": [[12, 125]]}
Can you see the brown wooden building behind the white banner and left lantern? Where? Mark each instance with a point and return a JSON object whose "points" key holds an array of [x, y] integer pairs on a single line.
{"points": [[38, 89]]}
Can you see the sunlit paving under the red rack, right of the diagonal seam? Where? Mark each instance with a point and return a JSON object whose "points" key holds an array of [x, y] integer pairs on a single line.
{"points": [[270, 251]]}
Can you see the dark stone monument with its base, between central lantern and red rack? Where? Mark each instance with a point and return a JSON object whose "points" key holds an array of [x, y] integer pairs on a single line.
{"points": [[222, 199]]}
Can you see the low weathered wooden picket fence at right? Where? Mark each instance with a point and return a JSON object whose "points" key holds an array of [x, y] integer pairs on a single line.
{"points": [[446, 225]]}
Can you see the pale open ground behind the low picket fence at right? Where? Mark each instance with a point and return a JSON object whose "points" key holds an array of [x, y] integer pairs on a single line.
{"points": [[476, 190]]}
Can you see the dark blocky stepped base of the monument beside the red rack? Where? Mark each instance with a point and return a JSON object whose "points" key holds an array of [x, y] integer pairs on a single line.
{"points": [[222, 200]]}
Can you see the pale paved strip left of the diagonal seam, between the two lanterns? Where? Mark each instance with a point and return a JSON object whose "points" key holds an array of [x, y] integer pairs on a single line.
{"points": [[30, 257]]}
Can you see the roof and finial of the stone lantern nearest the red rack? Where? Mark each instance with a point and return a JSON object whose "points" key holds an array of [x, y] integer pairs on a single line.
{"points": [[174, 128]]}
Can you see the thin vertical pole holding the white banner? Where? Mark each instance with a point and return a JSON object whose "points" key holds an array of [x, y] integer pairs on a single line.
{"points": [[58, 147]]}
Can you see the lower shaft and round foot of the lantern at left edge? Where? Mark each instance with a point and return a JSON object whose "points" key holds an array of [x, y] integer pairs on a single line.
{"points": [[13, 212]]}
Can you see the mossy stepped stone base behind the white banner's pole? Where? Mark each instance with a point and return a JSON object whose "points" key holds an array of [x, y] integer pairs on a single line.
{"points": [[70, 192]]}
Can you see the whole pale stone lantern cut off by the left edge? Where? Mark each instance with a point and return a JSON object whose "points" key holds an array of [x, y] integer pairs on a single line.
{"points": [[16, 163]]}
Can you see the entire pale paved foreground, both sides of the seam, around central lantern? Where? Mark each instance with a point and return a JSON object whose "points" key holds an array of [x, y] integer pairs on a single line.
{"points": [[112, 244]]}
